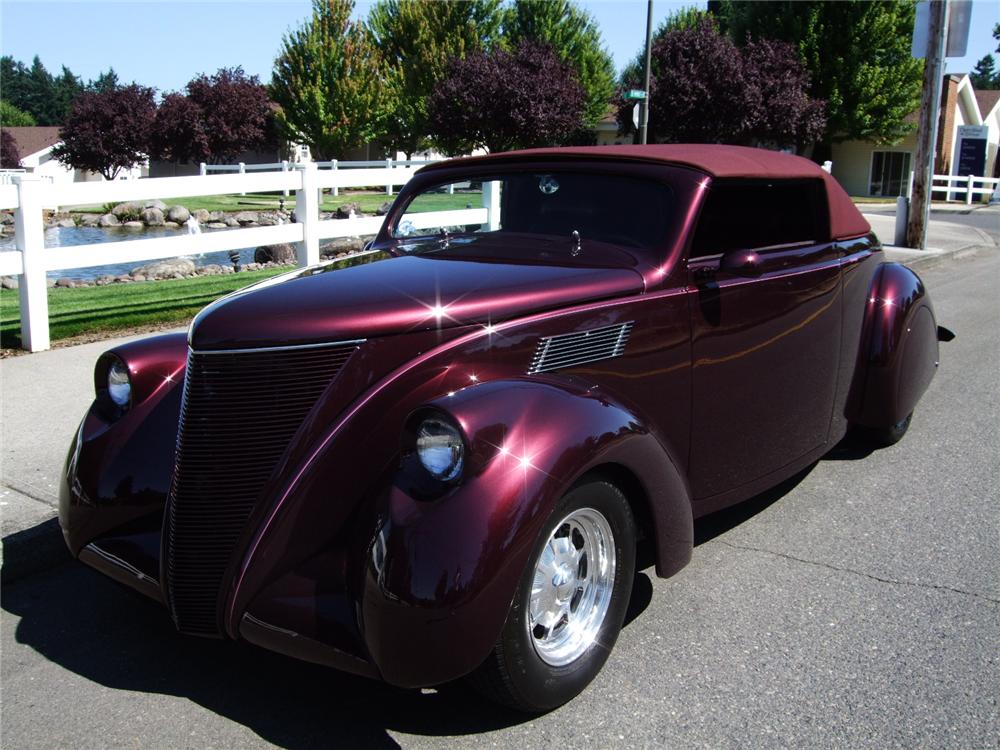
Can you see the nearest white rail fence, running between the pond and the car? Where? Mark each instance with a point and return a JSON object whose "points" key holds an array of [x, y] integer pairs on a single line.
{"points": [[31, 260]]}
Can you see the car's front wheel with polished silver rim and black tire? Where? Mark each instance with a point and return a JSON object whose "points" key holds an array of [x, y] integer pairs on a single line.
{"points": [[570, 603]]}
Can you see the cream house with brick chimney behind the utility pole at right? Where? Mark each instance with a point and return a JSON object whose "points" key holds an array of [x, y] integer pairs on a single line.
{"points": [[967, 143]]}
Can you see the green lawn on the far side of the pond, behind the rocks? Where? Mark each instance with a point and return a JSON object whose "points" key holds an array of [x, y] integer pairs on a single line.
{"points": [[369, 202]]}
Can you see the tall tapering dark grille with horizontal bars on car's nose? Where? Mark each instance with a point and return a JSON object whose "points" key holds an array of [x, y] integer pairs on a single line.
{"points": [[240, 410]]}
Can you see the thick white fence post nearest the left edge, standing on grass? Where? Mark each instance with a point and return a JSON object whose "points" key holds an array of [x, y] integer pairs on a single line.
{"points": [[30, 240]]}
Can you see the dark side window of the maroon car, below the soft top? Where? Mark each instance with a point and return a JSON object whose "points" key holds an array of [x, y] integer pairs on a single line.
{"points": [[747, 215]]}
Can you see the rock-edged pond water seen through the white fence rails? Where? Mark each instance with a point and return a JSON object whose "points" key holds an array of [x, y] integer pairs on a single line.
{"points": [[71, 237]]}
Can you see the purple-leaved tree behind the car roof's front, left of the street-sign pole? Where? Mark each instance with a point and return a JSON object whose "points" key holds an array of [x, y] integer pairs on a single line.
{"points": [[506, 100]]}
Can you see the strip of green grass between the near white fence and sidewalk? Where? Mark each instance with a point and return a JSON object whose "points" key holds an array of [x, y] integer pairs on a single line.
{"points": [[122, 306]]}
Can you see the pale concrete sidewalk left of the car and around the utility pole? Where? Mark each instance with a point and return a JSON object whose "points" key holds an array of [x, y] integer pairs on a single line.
{"points": [[45, 395]]}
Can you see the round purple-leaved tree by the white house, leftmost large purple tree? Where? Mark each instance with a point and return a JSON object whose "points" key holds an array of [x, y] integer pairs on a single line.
{"points": [[108, 131]]}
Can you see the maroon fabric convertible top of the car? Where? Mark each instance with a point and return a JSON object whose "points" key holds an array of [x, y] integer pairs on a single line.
{"points": [[715, 160]]}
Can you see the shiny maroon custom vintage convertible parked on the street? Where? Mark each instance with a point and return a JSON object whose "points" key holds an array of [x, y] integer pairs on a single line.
{"points": [[441, 464]]}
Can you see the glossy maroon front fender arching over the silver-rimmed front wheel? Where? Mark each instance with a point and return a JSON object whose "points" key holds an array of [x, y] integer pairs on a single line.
{"points": [[442, 572]]}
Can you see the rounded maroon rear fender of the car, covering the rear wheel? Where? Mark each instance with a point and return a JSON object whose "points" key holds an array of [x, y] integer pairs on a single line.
{"points": [[898, 354]]}
